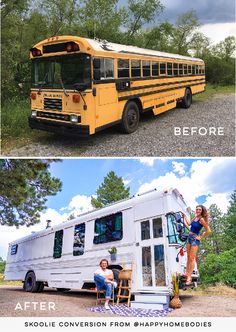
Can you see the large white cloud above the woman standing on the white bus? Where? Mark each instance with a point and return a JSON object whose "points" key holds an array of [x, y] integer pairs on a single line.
{"points": [[214, 178]]}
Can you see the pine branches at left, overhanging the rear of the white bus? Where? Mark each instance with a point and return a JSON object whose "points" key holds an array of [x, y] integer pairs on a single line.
{"points": [[24, 187]]}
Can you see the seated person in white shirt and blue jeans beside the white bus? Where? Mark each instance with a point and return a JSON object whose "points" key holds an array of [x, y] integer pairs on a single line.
{"points": [[104, 280]]}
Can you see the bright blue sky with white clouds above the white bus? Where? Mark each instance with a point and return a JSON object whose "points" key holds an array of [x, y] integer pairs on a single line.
{"points": [[206, 181]]}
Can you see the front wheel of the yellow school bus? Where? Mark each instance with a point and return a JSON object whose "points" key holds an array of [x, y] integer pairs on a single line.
{"points": [[130, 118]]}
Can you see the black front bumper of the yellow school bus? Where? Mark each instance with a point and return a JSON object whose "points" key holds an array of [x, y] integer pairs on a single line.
{"points": [[60, 128]]}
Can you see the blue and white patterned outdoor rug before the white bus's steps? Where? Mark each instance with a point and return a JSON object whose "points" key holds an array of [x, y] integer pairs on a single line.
{"points": [[124, 310]]}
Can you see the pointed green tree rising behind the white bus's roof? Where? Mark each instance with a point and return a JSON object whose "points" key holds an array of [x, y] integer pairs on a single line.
{"points": [[111, 190]]}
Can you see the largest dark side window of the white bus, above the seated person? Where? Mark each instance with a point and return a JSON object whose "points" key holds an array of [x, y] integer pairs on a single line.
{"points": [[108, 228]]}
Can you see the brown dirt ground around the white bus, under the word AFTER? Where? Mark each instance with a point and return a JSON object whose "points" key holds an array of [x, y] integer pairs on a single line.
{"points": [[209, 303]]}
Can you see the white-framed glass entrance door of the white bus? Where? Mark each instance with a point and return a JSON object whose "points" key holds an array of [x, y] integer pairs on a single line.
{"points": [[151, 254]]}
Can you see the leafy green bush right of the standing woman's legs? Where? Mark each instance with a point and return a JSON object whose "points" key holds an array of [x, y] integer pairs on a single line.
{"points": [[219, 268]]}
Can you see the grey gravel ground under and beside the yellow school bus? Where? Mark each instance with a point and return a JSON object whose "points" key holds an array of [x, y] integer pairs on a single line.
{"points": [[155, 135]]}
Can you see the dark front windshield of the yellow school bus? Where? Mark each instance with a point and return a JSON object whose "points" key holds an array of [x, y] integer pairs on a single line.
{"points": [[53, 72]]}
